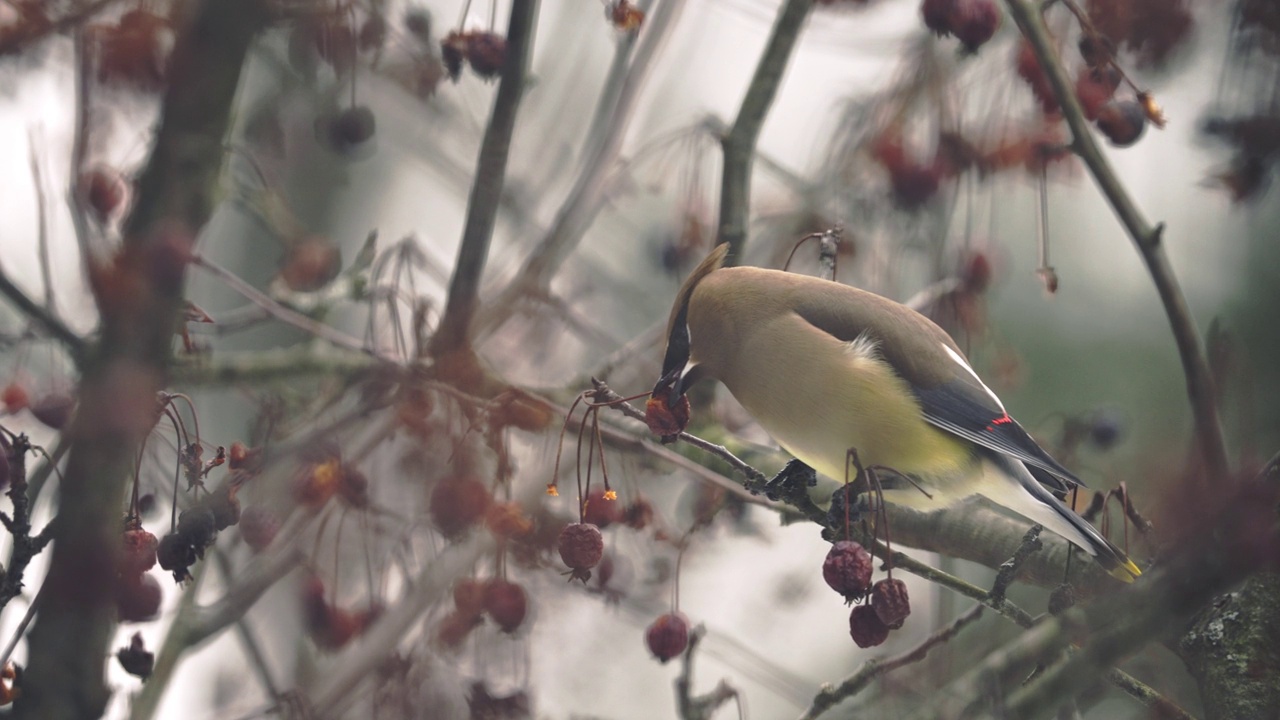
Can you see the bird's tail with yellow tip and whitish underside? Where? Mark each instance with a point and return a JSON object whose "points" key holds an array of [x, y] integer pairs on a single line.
{"points": [[1039, 505]]}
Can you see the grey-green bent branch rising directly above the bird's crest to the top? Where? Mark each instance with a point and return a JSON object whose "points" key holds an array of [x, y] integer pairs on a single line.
{"points": [[739, 144]]}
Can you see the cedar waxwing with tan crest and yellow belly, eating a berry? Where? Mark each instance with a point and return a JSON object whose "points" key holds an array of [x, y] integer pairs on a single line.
{"points": [[825, 368]]}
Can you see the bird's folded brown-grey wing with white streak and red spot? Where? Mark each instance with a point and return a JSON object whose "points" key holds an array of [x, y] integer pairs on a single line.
{"points": [[952, 395]]}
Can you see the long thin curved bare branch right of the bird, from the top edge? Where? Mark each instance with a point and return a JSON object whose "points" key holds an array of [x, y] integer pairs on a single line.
{"points": [[1146, 238]]}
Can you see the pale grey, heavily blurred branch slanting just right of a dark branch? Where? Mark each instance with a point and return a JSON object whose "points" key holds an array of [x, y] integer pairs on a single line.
{"points": [[591, 190]]}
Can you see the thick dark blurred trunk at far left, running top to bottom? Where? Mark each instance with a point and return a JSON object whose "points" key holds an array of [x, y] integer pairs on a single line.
{"points": [[176, 195]]}
